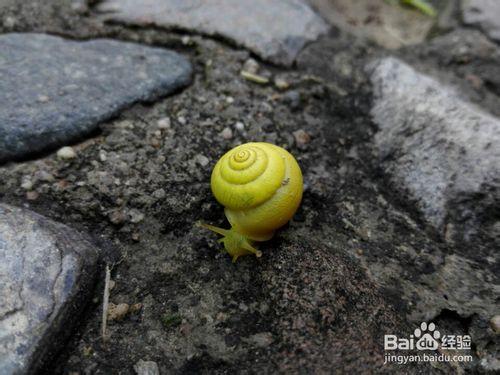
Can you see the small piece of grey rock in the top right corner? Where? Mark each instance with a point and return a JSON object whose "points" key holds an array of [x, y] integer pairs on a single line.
{"points": [[484, 14]]}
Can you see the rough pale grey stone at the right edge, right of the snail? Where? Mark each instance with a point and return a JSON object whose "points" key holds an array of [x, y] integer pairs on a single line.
{"points": [[440, 150]]}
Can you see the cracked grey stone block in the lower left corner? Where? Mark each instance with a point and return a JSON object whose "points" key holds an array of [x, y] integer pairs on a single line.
{"points": [[46, 271]]}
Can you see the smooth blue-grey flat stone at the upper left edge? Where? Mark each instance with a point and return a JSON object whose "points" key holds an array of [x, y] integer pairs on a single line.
{"points": [[55, 91]]}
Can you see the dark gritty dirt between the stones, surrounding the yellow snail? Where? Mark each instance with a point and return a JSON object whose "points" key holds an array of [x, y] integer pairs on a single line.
{"points": [[311, 304]]}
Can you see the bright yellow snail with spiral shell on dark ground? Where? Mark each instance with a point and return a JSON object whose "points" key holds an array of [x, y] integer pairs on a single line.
{"points": [[260, 186]]}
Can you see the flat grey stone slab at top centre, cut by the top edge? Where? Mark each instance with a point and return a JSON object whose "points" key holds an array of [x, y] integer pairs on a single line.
{"points": [[276, 30]]}
